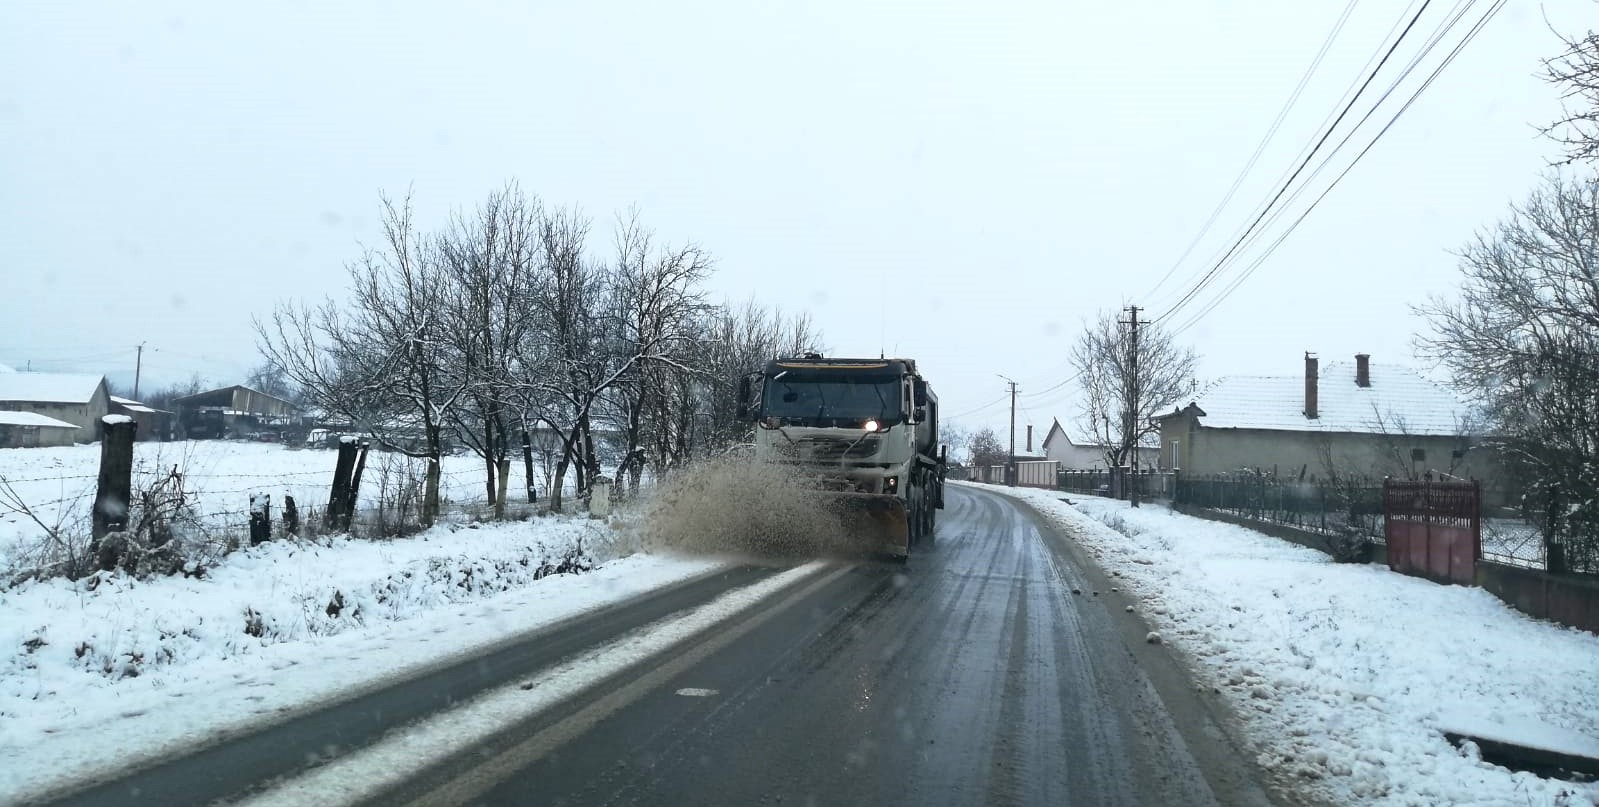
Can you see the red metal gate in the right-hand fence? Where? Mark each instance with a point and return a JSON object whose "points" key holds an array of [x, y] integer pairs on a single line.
{"points": [[1434, 530]]}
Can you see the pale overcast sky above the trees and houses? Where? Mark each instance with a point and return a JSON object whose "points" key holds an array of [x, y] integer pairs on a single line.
{"points": [[960, 183]]}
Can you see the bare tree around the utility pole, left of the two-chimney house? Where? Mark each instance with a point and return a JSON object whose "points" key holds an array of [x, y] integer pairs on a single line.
{"points": [[1120, 402]]}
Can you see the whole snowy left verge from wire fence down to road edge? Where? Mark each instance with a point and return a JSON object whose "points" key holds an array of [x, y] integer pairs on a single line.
{"points": [[105, 672]]}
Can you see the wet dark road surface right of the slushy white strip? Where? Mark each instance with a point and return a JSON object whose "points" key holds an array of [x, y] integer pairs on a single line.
{"points": [[973, 675]]}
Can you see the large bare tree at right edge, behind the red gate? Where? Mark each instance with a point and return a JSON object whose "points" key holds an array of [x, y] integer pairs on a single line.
{"points": [[1523, 338]]}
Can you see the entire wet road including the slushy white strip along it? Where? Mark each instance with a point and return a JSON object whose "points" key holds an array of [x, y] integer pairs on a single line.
{"points": [[975, 675]]}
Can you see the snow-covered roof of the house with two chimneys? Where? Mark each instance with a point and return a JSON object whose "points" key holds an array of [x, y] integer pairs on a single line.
{"points": [[1398, 400]]}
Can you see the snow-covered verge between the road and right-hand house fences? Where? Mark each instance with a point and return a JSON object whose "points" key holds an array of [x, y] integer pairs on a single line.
{"points": [[1347, 675]]}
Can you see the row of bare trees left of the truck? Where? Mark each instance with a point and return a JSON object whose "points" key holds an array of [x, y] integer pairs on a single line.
{"points": [[503, 330]]}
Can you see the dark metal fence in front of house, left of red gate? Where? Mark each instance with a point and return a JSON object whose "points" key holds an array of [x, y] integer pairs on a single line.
{"points": [[1350, 507]]}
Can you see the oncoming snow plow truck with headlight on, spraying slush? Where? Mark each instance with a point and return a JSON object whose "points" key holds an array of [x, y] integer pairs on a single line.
{"points": [[864, 434]]}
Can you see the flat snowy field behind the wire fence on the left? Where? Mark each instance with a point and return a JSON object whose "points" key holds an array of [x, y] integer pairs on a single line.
{"points": [[58, 483]]}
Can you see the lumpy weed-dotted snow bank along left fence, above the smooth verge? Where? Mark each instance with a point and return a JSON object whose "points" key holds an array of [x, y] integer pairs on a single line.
{"points": [[114, 626]]}
